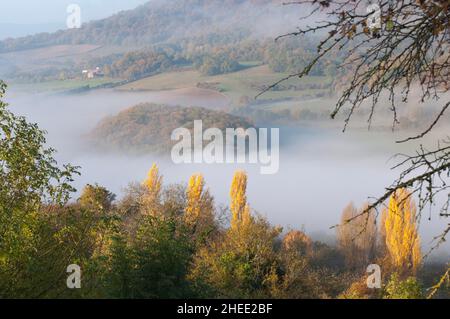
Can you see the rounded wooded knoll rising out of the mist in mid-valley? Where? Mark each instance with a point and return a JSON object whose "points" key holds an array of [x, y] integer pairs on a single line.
{"points": [[147, 128]]}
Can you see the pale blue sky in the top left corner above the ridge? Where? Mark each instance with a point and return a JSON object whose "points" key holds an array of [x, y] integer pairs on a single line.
{"points": [[24, 17]]}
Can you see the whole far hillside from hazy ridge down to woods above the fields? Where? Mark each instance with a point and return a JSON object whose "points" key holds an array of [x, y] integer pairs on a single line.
{"points": [[212, 36]]}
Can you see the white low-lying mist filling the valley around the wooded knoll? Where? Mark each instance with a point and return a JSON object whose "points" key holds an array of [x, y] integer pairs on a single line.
{"points": [[321, 169]]}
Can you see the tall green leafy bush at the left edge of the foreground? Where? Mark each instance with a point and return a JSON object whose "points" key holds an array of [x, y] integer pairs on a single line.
{"points": [[30, 179]]}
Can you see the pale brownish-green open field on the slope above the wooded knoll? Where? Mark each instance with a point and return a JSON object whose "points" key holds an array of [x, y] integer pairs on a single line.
{"points": [[245, 83]]}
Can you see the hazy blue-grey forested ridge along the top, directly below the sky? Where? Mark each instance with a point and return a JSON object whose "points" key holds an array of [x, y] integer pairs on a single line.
{"points": [[162, 21]]}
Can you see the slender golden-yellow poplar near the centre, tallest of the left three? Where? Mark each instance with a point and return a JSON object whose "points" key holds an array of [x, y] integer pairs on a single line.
{"points": [[240, 209]]}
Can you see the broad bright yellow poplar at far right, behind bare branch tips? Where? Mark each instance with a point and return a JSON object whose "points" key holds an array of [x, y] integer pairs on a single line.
{"points": [[402, 238]]}
